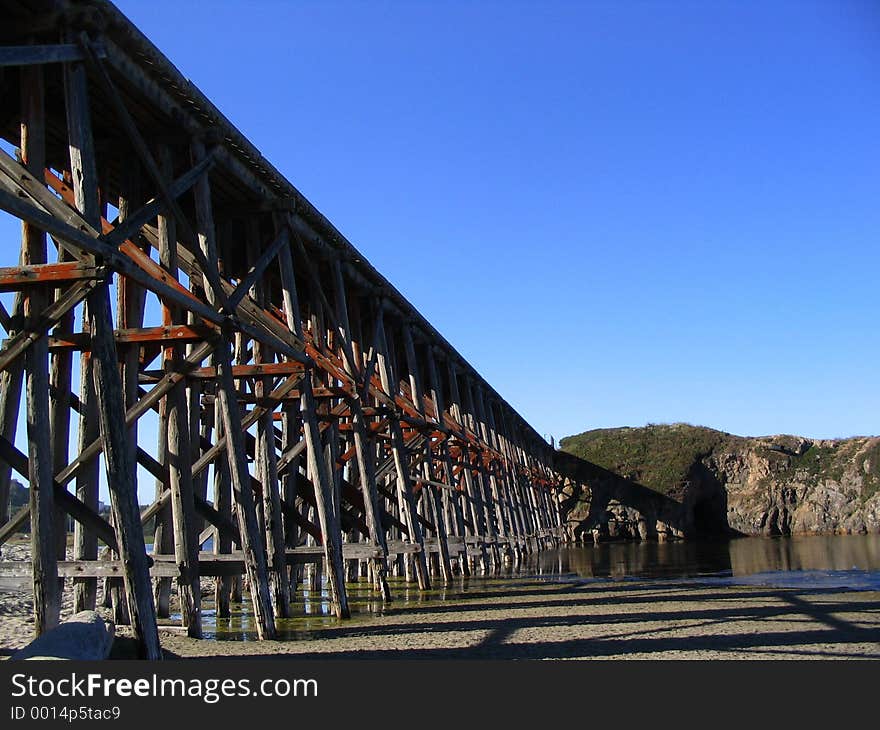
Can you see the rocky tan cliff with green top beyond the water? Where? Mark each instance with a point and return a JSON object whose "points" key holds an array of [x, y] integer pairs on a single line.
{"points": [[716, 483]]}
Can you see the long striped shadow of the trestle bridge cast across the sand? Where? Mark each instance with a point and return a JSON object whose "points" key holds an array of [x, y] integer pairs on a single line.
{"points": [[703, 621]]}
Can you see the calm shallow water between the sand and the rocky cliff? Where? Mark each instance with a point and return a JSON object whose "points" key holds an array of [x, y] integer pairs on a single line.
{"points": [[851, 562]]}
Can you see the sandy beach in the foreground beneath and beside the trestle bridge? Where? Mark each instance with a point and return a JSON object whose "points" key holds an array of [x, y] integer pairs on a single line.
{"points": [[534, 618]]}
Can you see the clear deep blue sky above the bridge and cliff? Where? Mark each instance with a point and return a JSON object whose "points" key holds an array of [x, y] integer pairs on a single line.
{"points": [[618, 212]]}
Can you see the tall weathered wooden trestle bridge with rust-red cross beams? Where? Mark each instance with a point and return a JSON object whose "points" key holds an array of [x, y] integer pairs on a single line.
{"points": [[306, 412]]}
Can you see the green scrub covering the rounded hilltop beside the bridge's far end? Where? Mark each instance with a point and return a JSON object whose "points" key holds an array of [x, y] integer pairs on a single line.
{"points": [[657, 456]]}
